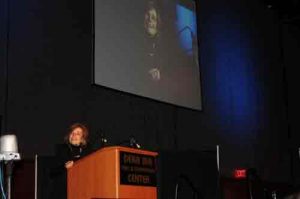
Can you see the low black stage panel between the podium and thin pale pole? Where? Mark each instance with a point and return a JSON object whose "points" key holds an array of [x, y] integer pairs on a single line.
{"points": [[194, 173]]}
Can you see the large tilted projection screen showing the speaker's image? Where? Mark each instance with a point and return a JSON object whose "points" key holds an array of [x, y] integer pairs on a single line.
{"points": [[148, 48]]}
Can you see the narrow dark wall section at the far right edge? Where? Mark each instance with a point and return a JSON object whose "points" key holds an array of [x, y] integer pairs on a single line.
{"points": [[291, 52]]}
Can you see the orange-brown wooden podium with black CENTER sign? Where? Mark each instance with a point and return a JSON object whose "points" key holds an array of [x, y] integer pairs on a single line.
{"points": [[114, 172]]}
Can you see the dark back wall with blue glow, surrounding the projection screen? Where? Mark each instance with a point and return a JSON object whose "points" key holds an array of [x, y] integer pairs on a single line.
{"points": [[49, 86]]}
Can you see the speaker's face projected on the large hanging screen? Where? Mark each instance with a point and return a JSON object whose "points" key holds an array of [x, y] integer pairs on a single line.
{"points": [[152, 20]]}
